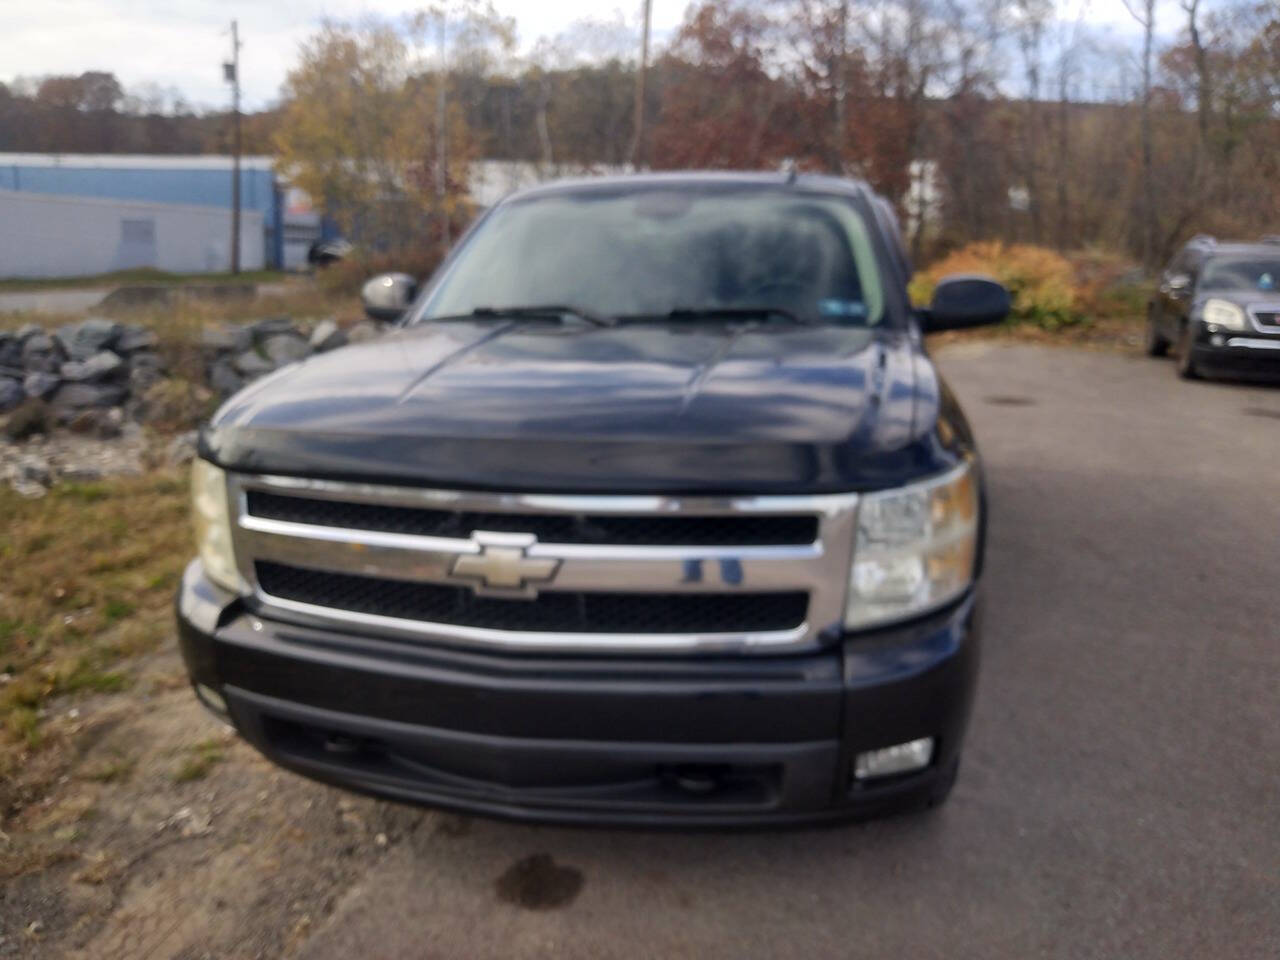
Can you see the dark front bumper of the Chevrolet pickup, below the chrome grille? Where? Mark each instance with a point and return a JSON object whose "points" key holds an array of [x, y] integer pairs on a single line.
{"points": [[647, 742]]}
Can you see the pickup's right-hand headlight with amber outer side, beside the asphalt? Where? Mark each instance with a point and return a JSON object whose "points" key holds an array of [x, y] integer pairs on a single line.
{"points": [[915, 551]]}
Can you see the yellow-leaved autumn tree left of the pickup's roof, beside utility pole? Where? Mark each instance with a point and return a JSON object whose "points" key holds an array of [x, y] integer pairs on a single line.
{"points": [[371, 131]]}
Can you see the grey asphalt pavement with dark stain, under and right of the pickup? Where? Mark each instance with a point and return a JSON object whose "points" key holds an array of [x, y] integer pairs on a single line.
{"points": [[1121, 792]]}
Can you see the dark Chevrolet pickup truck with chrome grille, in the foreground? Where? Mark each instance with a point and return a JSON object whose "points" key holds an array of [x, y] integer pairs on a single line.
{"points": [[651, 509]]}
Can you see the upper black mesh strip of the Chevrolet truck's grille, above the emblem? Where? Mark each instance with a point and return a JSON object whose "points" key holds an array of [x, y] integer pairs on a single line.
{"points": [[744, 531]]}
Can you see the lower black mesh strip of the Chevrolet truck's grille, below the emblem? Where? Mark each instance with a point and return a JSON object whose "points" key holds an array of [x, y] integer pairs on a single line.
{"points": [[550, 612]]}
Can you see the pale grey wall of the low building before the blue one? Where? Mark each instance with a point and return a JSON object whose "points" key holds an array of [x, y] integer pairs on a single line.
{"points": [[61, 236]]}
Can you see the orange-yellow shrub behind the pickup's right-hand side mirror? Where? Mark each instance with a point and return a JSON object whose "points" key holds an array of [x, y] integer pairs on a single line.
{"points": [[1043, 284]]}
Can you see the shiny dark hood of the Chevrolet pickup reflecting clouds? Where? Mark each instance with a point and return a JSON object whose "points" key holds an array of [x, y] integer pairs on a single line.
{"points": [[532, 405]]}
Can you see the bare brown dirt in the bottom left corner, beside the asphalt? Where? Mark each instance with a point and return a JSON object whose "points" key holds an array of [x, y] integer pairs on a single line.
{"points": [[132, 854]]}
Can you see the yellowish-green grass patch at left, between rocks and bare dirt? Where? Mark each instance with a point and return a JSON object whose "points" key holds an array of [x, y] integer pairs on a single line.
{"points": [[90, 573]]}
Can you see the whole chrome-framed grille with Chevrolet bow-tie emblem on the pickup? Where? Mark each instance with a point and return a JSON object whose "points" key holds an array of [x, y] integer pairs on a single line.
{"points": [[547, 573]]}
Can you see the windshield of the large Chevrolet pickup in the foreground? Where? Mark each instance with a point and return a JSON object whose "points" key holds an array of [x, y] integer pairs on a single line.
{"points": [[646, 254]]}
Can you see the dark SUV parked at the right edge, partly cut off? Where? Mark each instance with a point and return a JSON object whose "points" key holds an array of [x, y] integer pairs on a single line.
{"points": [[1220, 305]]}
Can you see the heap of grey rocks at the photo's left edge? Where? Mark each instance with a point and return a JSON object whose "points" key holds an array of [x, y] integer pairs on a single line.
{"points": [[97, 364]]}
